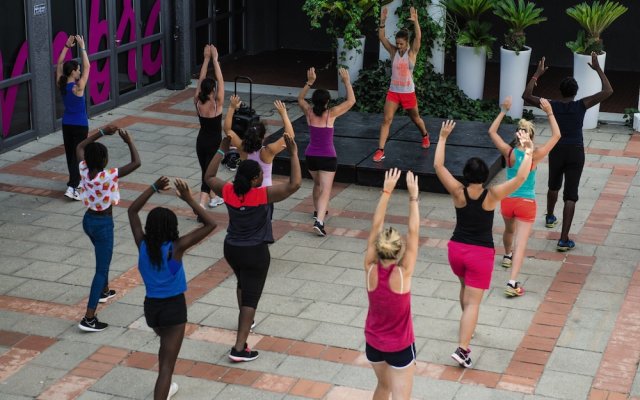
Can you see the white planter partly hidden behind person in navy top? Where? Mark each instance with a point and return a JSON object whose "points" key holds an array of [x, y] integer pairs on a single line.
{"points": [[588, 83]]}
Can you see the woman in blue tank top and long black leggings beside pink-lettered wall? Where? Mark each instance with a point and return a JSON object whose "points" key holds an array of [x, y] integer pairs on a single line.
{"points": [[75, 123]]}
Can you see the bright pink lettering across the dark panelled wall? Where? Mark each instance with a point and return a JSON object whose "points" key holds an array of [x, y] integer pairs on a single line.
{"points": [[100, 78]]}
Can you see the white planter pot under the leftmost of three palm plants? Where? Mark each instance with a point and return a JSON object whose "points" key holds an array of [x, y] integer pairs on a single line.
{"points": [[470, 66]]}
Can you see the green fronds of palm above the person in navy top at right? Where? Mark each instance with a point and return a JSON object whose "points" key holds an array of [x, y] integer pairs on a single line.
{"points": [[594, 19]]}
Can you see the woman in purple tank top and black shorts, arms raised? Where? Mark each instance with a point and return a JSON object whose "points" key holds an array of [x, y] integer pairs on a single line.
{"points": [[322, 161]]}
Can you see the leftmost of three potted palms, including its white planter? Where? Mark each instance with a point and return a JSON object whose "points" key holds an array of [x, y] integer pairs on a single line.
{"points": [[474, 43]]}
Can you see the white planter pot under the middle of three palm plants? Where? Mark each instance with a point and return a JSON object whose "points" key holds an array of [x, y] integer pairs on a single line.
{"points": [[513, 78]]}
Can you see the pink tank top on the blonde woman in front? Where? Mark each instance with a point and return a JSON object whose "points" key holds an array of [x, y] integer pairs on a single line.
{"points": [[389, 327]]}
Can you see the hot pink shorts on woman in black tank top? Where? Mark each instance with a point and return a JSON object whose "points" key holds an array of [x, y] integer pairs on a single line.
{"points": [[473, 264]]}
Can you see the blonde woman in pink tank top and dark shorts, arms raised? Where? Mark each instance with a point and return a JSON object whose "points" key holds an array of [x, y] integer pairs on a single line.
{"points": [[389, 263]]}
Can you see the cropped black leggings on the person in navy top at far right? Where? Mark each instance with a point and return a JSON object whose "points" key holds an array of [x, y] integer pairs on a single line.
{"points": [[566, 161]]}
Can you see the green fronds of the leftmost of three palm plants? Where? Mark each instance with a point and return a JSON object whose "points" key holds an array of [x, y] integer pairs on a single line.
{"points": [[474, 33]]}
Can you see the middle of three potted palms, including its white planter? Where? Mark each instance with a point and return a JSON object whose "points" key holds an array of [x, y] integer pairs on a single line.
{"points": [[514, 54]]}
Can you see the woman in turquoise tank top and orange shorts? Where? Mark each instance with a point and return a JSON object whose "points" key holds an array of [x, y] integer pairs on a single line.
{"points": [[519, 208]]}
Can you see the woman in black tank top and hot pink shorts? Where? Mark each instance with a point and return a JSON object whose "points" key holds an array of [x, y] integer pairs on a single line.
{"points": [[471, 249]]}
